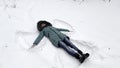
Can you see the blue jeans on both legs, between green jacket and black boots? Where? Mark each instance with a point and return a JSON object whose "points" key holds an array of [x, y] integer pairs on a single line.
{"points": [[69, 47]]}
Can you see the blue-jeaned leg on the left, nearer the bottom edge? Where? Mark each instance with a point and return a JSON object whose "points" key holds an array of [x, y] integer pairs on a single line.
{"points": [[68, 50]]}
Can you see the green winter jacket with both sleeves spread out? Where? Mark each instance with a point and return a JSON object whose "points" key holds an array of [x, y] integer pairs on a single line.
{"points": [[53, 34]]}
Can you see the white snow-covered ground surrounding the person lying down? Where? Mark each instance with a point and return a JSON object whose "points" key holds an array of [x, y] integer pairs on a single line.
{"points": [[94, 25]]}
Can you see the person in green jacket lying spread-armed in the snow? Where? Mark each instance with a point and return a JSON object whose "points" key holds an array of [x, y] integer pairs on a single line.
{"points": [[58, 39]]}
